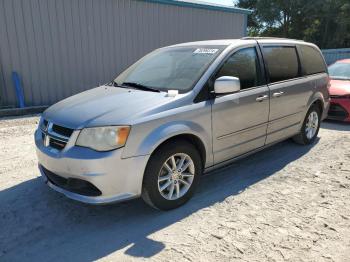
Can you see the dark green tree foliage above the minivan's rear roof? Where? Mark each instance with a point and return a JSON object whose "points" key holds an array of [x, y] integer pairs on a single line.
{"points": [[323, 22]]}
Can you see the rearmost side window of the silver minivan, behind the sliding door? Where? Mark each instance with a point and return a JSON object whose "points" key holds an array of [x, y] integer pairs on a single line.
{"points": [[312, 61]]}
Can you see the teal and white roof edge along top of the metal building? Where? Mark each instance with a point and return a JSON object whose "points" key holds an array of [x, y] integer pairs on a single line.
{"points": [[202, 5]]}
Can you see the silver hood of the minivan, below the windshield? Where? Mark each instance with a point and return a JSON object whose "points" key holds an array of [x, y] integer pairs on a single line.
{"points": [[105, 105]]}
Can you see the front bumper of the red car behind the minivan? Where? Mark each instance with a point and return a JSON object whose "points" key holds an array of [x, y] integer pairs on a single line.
{"points": [[339, 109]]}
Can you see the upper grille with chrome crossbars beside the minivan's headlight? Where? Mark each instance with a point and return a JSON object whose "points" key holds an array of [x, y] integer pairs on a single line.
{"points": [[54, 135]]}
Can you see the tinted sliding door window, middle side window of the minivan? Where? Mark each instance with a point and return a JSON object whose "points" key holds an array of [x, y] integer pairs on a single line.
{"points": [[282, 62]]}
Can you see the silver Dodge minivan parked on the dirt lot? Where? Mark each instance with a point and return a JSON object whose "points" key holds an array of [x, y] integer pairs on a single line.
{"points": [[179, 112]]}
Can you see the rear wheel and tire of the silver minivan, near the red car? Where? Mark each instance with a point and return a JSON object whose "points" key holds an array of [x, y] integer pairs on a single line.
{"points": [[304, 137]]}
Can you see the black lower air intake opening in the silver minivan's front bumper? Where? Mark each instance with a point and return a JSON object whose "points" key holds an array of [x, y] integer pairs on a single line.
{"points": [[74, 185]]}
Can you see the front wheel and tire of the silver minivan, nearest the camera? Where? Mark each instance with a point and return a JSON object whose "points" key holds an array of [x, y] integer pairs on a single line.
{"points": [[156, 193]]}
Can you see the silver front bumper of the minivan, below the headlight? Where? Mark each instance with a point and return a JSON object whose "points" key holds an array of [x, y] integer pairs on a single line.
{"points": [[116, 179]]}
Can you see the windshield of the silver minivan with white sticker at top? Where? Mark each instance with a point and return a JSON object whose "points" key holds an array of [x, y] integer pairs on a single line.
{"points": [[173, 68]]}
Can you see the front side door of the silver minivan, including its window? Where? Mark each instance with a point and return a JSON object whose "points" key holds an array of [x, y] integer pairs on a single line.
{"points": [[239, 120]]}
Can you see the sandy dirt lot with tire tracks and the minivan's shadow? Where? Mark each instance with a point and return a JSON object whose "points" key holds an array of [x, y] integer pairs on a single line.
{"points": [[287, 203]]}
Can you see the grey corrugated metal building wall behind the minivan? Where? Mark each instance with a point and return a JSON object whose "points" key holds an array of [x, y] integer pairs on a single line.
{"points": [[62, 47]]}
